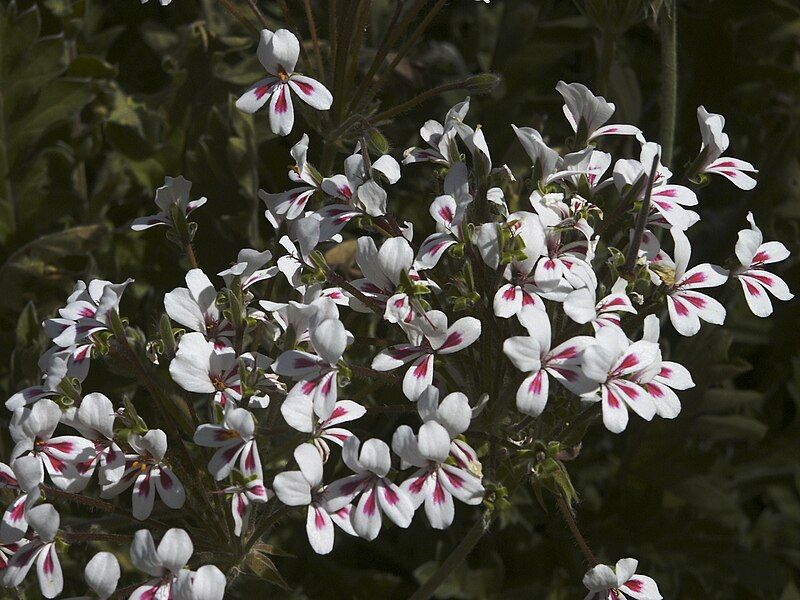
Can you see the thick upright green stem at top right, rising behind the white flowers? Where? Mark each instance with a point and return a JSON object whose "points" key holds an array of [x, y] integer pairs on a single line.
{"points": [[669, 83]]}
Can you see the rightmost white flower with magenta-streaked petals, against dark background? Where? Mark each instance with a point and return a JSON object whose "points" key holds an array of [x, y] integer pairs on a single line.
{"points": [[753, 254]]}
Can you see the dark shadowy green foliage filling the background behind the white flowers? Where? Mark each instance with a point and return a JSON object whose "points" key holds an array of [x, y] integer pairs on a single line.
{"points": [[101, 100]]}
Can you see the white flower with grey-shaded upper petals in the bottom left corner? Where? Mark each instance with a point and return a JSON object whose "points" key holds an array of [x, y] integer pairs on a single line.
{"points": [[40, 549]]}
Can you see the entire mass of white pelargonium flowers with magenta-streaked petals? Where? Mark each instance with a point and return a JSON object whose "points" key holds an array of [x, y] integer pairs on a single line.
{"points": [[519, 304]]}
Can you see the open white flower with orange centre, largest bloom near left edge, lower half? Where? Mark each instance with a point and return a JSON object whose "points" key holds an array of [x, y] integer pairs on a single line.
{"points": [[32, 429]]}
